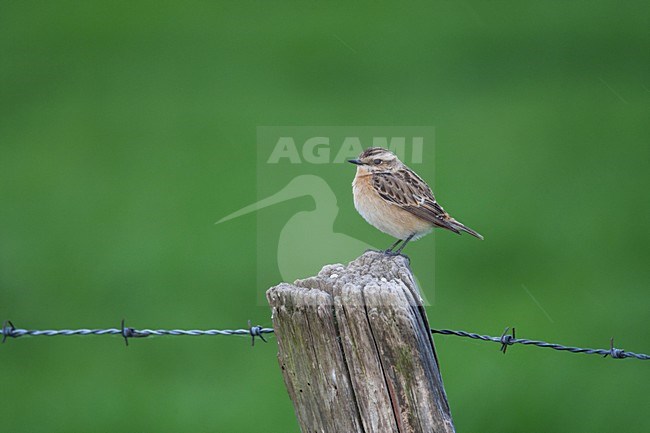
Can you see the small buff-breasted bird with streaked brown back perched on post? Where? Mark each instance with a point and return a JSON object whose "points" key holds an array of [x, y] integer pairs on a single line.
{"points": [[394, 199]]}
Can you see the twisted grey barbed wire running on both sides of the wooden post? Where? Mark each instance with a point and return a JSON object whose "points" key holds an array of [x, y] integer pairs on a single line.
{"points": [[505, 340]]}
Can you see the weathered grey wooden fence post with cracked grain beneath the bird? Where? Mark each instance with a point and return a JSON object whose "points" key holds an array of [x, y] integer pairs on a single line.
{"points": [[356, 352]]}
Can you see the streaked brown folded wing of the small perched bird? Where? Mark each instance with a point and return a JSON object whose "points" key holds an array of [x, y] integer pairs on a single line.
{"points": [[406, 190]]}
